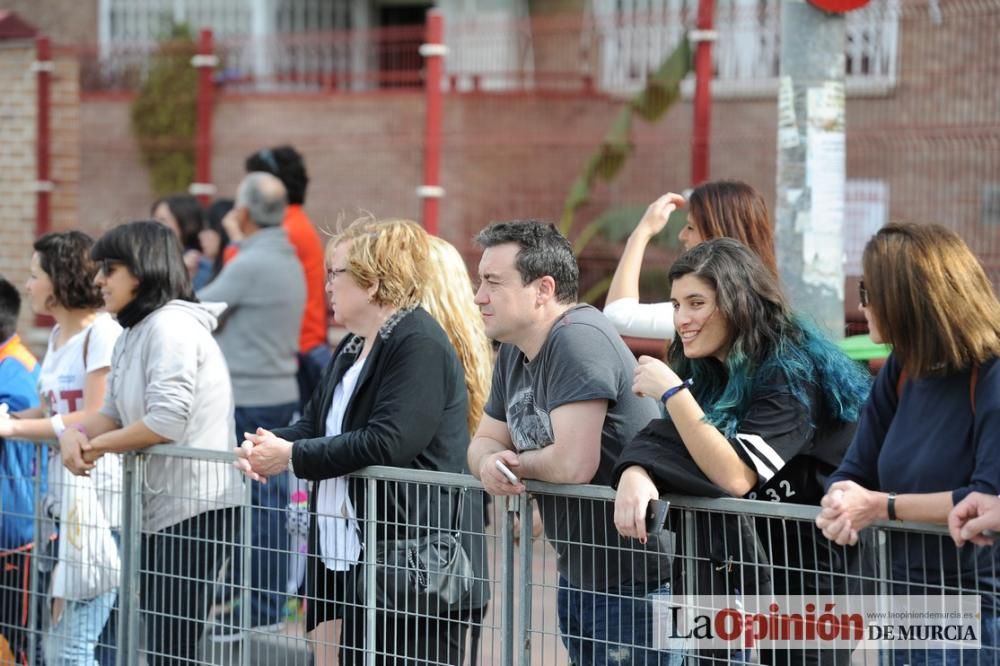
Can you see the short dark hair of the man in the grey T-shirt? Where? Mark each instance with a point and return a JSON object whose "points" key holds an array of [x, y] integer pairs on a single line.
{"points": [[544, 251]]}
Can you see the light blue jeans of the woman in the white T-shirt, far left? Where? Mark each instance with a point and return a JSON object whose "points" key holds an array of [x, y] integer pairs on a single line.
{"points": [[72, 640]]}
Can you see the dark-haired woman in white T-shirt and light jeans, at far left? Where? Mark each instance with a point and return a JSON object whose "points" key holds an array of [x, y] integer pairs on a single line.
{"points": [[72, 383]]}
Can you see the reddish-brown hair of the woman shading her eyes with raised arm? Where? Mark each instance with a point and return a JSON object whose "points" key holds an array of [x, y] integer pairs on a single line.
{"points": [[733, 209]]}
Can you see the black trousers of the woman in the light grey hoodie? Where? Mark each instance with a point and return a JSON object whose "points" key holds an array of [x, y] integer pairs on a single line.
{"points": [[179, 568]]}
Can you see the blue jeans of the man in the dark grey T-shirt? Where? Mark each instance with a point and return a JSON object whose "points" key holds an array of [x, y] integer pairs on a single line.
{"points": [[611, 627]]}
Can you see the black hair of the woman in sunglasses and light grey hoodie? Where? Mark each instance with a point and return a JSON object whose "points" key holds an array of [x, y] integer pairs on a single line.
{"points": [[152, 253]]}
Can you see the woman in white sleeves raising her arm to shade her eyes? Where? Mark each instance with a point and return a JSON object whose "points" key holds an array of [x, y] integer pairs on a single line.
{"points": [[717, 209]]}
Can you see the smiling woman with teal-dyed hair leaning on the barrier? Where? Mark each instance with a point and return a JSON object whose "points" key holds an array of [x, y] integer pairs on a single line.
{"points": [[759, 404]]}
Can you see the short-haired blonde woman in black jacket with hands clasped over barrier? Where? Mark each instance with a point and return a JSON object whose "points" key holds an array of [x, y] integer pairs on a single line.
{"points": [[394, 395]]}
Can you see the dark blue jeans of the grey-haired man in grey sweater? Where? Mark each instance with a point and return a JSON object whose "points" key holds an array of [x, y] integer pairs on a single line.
{"points": [[269, 555]]}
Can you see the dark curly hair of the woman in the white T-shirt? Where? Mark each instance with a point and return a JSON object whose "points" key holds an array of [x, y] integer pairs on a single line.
{"points": [[65, 258]]}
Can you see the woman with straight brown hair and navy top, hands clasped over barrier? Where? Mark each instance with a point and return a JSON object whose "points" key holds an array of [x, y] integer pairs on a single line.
{"points": [[929, 435]]}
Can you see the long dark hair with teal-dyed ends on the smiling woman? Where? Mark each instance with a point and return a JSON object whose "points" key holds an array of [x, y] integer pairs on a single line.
{"points": [[767, 337]]}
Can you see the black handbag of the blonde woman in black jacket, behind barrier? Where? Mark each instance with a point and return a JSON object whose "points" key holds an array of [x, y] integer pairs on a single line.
{"points": [[429, 575]]}
